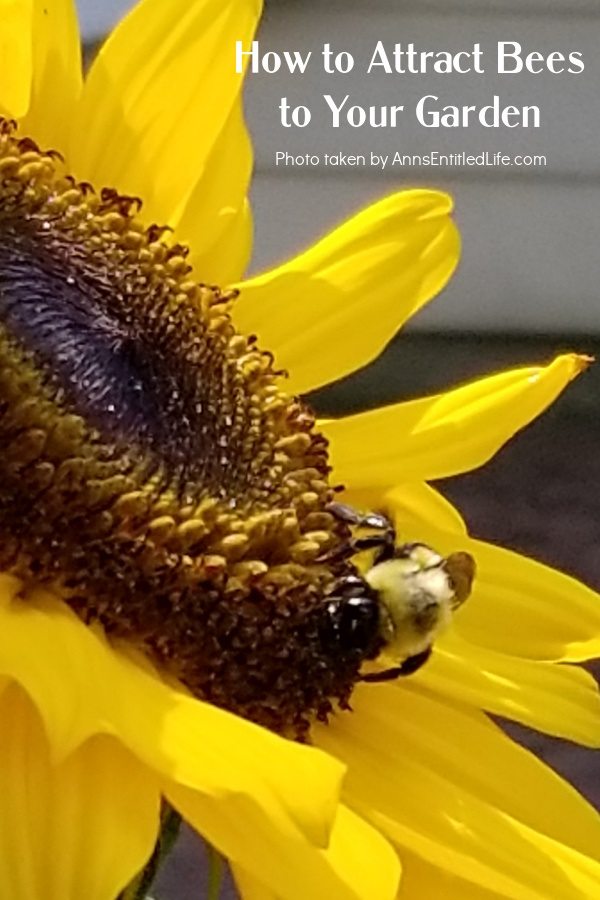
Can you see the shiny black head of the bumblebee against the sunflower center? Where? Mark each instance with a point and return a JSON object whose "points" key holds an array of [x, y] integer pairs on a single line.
{"points": [[354, 624]]}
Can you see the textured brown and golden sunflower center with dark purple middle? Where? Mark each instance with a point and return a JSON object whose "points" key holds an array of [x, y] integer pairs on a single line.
{"points": [[153, 468]]}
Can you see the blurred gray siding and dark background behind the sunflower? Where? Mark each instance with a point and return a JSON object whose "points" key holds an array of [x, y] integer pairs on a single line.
{"points": [[529, 282]]}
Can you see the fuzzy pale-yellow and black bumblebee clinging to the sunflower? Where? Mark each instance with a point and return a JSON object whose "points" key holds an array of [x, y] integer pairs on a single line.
{"points": [[406, 598]]}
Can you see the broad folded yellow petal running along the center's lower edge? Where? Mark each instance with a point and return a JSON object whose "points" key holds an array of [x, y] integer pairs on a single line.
{"points": [[82, 687]]}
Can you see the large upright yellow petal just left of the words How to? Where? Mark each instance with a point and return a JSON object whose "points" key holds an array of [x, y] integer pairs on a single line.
{"points": [[156, 100]]}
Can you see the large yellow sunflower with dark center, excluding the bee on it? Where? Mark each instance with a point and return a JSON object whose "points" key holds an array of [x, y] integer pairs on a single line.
{"points": [[162, 488]]}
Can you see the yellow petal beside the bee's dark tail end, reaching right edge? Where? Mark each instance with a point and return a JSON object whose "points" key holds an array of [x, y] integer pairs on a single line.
{"points": [[518, 606]]}
